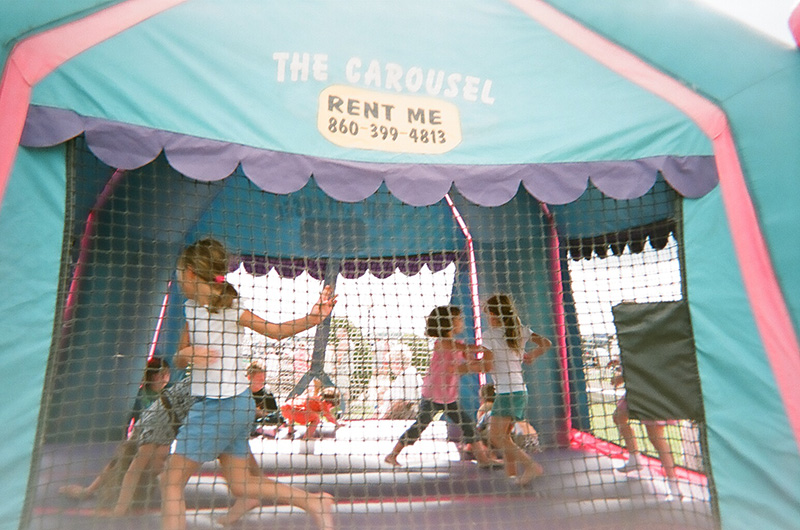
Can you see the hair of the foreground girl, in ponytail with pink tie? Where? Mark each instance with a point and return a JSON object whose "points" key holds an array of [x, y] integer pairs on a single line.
{"points": [[208, 260]]}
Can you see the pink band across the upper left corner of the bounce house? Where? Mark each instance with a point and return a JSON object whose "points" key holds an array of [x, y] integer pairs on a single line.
{"points": [[33, 58]]}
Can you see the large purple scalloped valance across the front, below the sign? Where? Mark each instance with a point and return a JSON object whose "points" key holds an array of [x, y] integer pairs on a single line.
{"points": [[126, 146]]}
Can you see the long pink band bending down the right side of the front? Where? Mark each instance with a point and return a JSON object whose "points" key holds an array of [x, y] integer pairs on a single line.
{"points": [[769, 308]]}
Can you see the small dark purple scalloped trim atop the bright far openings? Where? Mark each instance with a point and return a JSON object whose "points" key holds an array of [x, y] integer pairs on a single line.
{"points": [[350, 268]]}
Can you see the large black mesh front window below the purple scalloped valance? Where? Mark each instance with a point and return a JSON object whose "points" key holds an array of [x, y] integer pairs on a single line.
{"points": [[326, 405]]}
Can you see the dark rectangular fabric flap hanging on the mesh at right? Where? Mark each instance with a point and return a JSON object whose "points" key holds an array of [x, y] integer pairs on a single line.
{"points": [[658, 360]]}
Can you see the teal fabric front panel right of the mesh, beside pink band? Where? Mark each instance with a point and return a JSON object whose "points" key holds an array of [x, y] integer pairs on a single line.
{"points": [[753, 453]]}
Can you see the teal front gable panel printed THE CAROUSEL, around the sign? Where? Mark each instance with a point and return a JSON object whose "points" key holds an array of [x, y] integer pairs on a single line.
{"points": [[198, 72]]}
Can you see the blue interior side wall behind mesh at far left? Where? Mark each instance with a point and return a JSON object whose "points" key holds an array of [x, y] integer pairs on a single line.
{"points": [[99, 355]]}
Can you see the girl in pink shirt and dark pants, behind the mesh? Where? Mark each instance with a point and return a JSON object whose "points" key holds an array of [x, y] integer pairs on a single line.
{"points": [[450, 360]]}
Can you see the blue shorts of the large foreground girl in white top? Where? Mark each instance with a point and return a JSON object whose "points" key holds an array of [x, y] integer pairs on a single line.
{"points": [[217, 426]]}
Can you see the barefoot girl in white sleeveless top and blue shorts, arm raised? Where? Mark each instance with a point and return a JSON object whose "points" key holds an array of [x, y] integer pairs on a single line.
{"points": [[219, 423]]}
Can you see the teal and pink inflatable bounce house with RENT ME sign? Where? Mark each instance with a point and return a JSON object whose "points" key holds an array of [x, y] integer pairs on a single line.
{"points": [[627, 171]]}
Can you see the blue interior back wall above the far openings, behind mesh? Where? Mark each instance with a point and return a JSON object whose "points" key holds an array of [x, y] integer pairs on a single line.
{"points": [[310, 224]]}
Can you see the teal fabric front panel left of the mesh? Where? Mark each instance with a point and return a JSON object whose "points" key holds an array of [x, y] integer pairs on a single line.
{"points": [[31, 228]]}
